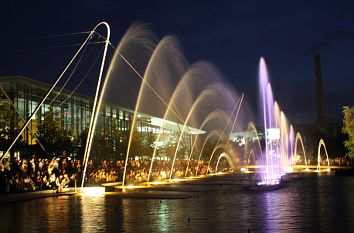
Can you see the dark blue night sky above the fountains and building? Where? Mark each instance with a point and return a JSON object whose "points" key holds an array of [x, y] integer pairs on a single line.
{"points": [[230, 34]]}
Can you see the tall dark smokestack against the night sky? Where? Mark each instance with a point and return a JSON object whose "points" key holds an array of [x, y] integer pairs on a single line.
{"points": [[321, 122]]}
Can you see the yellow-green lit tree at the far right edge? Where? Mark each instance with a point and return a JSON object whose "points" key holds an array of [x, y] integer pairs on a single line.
{"points": [[348, 128]]}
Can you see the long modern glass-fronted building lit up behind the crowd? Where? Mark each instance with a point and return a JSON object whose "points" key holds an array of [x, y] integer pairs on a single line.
{"points": [[19, 96]]}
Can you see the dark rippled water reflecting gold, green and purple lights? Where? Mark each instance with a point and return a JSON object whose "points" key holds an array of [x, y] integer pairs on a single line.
{"points": [[312, 204]]}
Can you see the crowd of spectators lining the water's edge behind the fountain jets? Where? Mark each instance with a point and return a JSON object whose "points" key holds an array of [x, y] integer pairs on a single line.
{"points": [[58, 173]]}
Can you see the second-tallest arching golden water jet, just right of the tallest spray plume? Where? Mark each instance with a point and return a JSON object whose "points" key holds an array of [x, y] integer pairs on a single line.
{"points": [[153, 92]]}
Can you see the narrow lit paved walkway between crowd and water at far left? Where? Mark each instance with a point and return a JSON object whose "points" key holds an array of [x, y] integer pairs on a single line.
{"points": [[14, 197]]}
